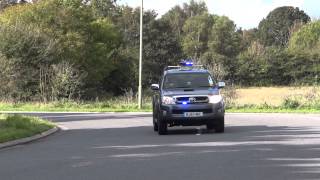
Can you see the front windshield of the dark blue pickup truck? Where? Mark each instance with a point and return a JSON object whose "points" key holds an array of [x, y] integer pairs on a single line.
{"points": [[187, 80]]}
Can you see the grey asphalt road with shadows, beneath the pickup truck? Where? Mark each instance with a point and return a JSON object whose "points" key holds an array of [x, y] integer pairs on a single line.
{"points": [[124, 147]]}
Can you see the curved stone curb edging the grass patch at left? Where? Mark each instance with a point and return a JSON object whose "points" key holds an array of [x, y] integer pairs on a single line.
{"points": [[29, 139]]}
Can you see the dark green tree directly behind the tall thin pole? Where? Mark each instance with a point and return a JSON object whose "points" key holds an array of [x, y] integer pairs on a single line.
{"points": [[161, 46]]}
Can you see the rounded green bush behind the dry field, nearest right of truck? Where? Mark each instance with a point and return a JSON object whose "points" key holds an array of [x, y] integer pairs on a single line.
{"points": [[262, 66]]}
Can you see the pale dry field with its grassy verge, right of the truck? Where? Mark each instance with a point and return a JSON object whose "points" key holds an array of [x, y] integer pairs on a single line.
{"points": [[274, 99]]}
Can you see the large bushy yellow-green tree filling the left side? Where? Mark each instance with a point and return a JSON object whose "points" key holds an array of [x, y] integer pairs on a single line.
{"points": [[50, 32]]}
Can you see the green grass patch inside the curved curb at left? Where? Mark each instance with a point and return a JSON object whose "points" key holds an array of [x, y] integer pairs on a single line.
{"points": [[14, 127]]}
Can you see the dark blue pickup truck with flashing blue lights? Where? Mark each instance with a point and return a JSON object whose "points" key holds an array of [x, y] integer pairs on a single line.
{"points": [[187, 95]]}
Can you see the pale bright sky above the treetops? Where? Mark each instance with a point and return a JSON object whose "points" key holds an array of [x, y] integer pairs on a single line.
{"points": [[245, 13]]}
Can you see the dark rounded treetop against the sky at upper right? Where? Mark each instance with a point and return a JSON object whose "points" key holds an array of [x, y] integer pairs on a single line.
{"points": [[275, 29]]}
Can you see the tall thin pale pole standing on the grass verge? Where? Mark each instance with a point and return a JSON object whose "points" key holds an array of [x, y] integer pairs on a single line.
{"points": [[140, 59]]}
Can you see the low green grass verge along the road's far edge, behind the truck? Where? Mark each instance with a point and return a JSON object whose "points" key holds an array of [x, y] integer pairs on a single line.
{"points": [[121, 106]]}
